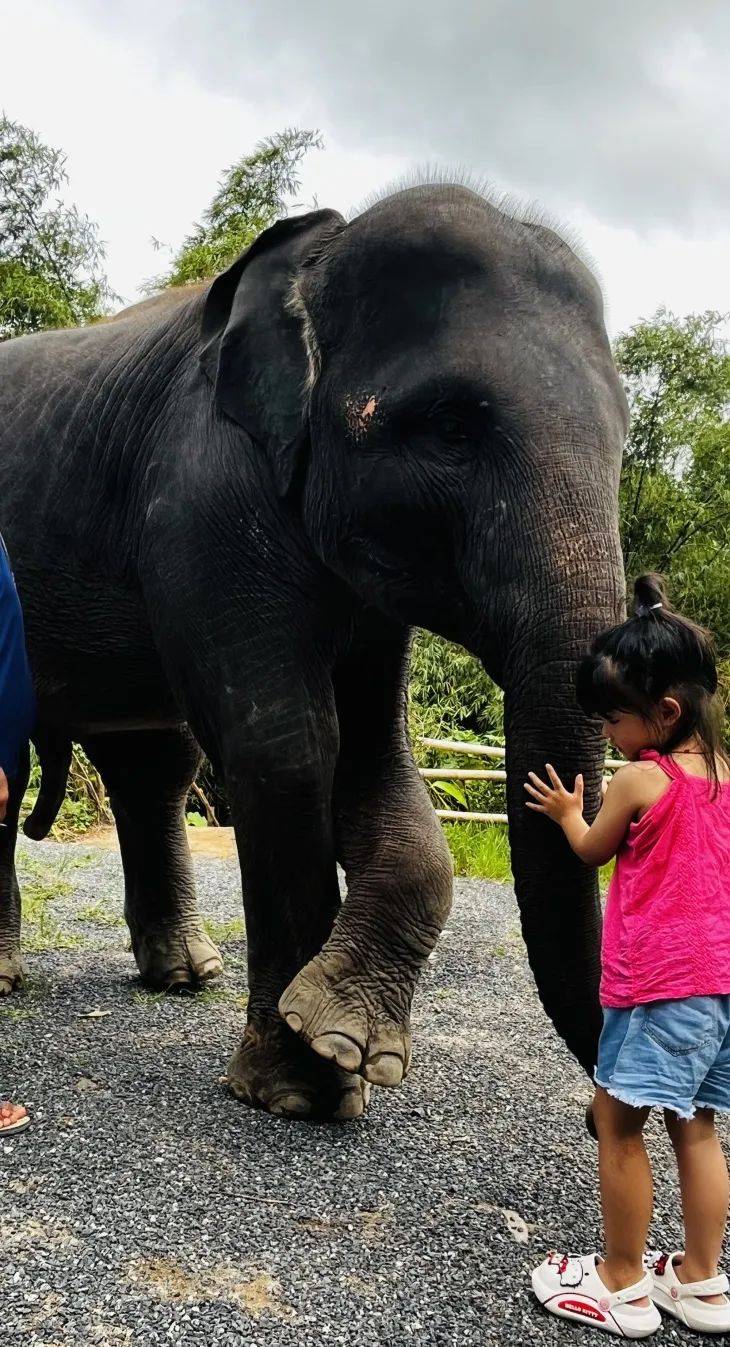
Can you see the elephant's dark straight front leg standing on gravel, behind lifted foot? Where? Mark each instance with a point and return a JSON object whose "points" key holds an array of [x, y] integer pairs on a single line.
{"points": [[279, 781]]}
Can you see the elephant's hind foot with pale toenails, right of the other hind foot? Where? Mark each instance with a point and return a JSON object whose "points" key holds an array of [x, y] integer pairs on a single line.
{"points": [[174, 958]]}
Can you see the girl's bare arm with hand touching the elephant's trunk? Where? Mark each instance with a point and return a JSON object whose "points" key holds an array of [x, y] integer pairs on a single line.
{"points": [[601, 841]]}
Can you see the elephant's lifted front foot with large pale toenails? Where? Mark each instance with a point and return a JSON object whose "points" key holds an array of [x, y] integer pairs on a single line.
{"points": [[352, 1019]]}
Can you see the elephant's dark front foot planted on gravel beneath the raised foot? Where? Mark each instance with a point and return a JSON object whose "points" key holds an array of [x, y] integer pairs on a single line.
{"points": [[274, 1070]]}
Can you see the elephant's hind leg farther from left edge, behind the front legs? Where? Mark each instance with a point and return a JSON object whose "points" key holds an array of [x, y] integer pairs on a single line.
{"points": [[149, 775]]}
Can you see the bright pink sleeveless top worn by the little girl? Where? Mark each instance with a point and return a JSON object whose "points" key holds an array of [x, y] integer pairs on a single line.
{"points": [[667, 923]]}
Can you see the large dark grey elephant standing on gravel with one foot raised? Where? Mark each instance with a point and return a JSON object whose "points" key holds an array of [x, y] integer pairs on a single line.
{"points": [[228, 507]]}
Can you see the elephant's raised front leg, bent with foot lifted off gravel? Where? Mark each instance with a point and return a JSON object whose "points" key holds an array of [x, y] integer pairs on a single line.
{"points": [[352, 1001]]}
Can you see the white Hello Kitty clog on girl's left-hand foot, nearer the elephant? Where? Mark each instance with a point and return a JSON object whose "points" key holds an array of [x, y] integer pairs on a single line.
{"points": [[572, 1288]]}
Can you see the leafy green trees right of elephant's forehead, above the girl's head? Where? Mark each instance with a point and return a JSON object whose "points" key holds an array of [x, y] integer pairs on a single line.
{"points": [[675, 483]]}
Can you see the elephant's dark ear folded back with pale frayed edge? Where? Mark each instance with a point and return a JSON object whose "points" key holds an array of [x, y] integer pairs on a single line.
{"points": [[254, 350]]}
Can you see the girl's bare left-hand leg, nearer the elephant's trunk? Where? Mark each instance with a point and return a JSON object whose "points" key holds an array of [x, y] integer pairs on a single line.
{"points": [[627, 1194]]}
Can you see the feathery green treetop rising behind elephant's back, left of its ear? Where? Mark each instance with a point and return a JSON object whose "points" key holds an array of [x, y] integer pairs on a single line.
{"points": [[254, 195]]}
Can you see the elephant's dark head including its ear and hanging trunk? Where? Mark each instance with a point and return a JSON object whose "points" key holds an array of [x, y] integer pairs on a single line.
{"points": [[436, 381]]}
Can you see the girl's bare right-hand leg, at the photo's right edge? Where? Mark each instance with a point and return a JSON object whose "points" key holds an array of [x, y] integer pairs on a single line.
{"points": [[705, 1194]]}
